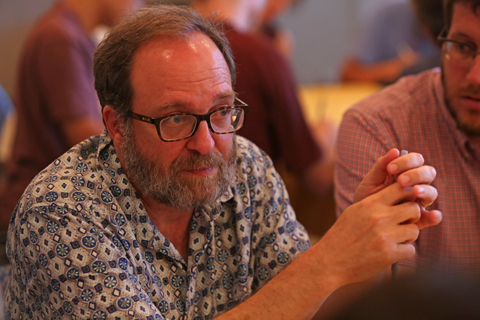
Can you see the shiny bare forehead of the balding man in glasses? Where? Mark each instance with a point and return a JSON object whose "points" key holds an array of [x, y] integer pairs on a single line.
{"points": [[180, 68]]}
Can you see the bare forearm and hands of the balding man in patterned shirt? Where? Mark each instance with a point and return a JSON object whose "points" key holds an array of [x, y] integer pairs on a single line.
{"points": [[370, 236]]}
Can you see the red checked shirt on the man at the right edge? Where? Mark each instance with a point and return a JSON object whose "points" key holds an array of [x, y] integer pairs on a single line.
{"points": [[411, 115]]}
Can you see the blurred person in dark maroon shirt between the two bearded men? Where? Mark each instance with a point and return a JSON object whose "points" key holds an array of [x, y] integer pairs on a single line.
{"points": [[265, 81]]}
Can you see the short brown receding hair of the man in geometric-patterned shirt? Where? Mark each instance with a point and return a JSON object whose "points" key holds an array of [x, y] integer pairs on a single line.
{"points": [[114, 57]]}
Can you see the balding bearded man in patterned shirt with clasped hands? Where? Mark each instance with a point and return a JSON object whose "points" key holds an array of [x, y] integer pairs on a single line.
{"points": [[169, 215]]}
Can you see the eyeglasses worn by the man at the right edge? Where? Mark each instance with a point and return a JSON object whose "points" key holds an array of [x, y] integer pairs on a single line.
{"points": [[457, 52]]}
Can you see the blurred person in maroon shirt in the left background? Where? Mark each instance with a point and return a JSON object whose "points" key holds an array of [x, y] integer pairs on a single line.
{"points": [[55, 100]]}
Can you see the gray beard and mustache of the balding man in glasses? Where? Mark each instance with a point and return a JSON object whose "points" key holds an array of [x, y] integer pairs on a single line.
{"points": [[164, 185]]}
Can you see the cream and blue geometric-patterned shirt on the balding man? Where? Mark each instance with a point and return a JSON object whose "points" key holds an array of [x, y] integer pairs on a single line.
{"points": [[82, 245]]}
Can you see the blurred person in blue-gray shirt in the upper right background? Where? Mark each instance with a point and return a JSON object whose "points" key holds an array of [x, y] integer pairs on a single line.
{"points": [[399, 39]]}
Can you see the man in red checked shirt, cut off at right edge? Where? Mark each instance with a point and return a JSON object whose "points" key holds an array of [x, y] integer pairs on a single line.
{"points": [[437, 114]]}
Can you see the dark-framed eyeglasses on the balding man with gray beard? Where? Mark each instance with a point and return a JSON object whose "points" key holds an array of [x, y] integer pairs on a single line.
{"points": [[179, 126]]}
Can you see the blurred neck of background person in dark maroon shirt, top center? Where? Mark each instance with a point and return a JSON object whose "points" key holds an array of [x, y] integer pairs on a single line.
{"points": [[229, 11]]}
